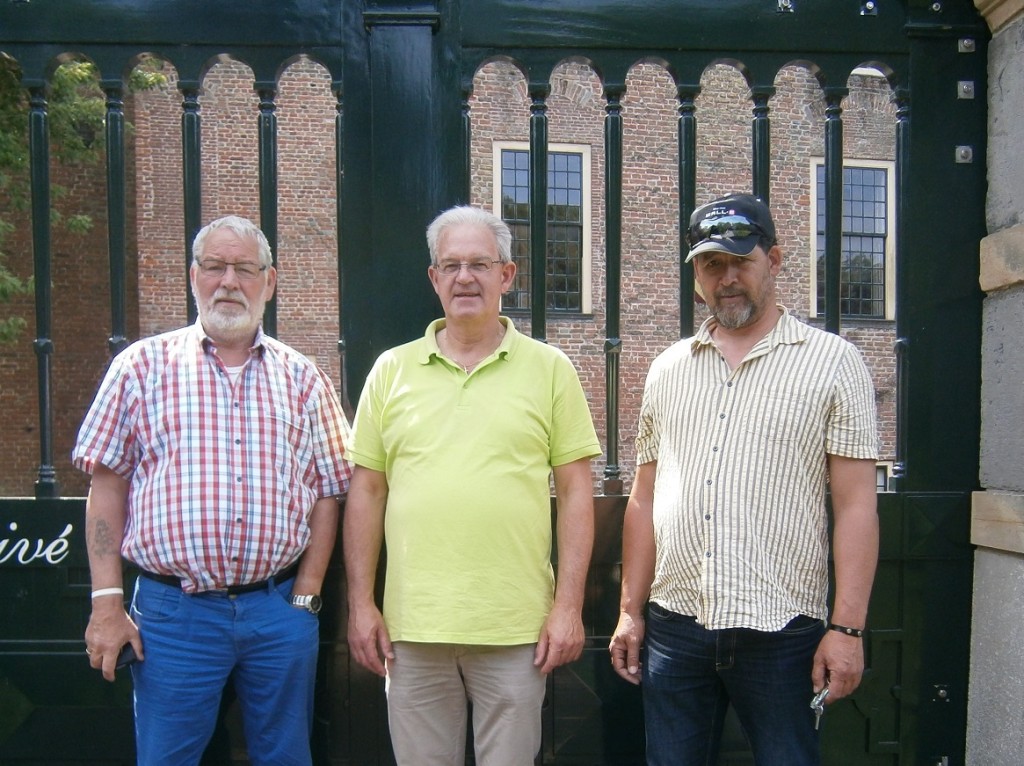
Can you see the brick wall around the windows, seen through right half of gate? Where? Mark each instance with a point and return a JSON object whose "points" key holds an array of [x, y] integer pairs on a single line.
{"points": [[651, 238]]}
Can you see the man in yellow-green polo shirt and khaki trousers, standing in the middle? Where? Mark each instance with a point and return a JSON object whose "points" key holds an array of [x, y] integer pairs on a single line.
{"points": [[457, 437]]}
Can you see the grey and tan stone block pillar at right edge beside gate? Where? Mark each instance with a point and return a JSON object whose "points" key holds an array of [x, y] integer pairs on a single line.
{"points": [[996, 732]]}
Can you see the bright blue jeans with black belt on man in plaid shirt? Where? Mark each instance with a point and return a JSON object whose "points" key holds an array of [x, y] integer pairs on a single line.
{"points": [[193, 645]]}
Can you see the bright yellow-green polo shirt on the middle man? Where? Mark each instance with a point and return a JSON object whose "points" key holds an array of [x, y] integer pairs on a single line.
{"points": [[468, 461]]}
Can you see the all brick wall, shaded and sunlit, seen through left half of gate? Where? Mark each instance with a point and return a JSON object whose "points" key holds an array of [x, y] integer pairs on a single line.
{"points": [[308, 311]]}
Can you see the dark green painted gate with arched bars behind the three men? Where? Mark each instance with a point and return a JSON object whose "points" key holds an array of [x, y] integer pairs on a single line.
{"points": [[402, 73]]}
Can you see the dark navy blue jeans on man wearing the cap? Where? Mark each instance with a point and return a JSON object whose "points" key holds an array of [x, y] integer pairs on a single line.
{"points": [[692, 674]]}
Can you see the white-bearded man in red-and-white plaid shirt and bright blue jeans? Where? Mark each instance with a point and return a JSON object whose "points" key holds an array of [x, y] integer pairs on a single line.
{"points": [[218, 457]]}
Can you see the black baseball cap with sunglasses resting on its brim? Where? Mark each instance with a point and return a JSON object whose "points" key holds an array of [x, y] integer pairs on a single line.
{"points": [[731, 225]]}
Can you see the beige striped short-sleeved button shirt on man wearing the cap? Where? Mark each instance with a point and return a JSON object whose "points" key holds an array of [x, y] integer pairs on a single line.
{"points": [[740, 517]]}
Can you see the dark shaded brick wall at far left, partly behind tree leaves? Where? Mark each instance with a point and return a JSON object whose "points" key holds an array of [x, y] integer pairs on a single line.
{"points": [[80, 328]]}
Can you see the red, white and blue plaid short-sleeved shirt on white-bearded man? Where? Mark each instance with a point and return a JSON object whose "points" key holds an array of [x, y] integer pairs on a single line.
{"points": [[223, 476]]}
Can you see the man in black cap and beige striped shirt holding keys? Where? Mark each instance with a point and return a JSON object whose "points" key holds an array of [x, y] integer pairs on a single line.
{"points": [[726, 538]]}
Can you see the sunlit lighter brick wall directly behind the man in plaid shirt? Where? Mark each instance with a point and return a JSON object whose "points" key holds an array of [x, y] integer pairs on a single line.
{"points": [[308, 250]]}
